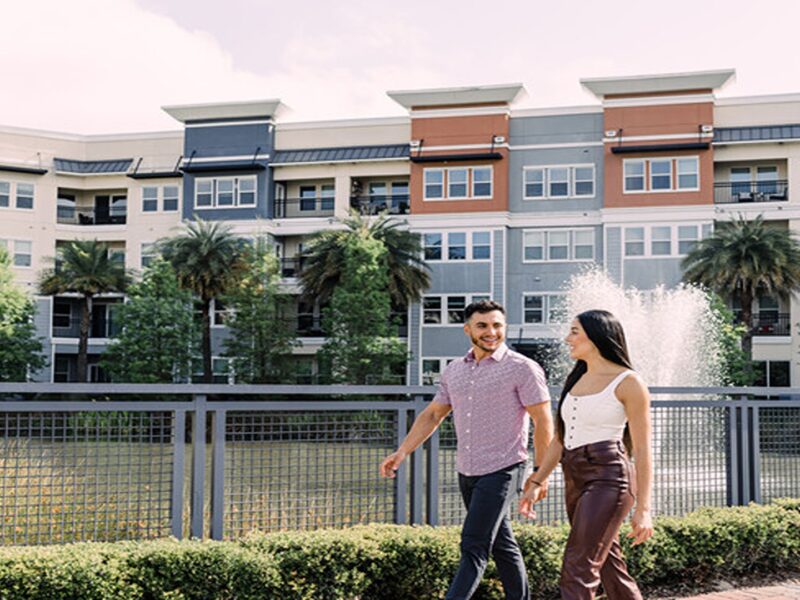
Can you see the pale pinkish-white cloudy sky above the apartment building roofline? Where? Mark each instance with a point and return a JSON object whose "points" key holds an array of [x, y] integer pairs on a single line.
{"points": [[108, 66]]}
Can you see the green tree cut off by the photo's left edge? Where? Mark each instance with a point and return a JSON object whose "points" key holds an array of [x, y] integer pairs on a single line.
{"points": [[20, 349]]}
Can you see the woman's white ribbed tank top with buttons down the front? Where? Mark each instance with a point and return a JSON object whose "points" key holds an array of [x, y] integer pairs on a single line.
{"points": [[594, 417]]}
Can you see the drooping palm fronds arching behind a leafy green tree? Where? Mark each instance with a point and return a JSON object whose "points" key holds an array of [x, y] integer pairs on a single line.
{"points": [[409, 275]]}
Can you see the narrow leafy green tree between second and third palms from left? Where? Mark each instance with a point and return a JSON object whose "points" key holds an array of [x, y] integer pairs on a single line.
{"points": [[261, 336]]}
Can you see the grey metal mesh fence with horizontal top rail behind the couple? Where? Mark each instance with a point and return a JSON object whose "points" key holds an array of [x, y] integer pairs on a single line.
{"points": [[113, 462]]}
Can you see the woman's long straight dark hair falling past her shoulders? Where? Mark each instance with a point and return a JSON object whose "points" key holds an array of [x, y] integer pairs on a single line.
{"points": [[605, 332]]}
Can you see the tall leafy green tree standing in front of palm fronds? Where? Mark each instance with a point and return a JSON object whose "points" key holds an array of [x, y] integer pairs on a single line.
{"points": [[360, 345]]}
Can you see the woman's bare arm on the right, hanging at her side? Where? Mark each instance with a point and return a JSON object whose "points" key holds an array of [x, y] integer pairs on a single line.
{"points": [[634, 395]]}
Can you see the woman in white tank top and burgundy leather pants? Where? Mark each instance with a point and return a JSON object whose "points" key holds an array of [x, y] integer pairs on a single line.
{"points": [[604, 414]]}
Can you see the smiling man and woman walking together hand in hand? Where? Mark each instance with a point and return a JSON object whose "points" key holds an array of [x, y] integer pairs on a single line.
{"points": [[603, 419]]}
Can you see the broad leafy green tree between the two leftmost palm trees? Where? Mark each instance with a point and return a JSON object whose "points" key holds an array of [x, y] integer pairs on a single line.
{"points": [[158, 335]]}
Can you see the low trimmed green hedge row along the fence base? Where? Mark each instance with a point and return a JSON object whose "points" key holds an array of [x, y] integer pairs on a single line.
{"points": [[386, 562]]}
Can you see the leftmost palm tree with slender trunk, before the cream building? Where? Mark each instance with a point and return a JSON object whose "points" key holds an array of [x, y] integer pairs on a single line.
{"points": [[84, 267]]}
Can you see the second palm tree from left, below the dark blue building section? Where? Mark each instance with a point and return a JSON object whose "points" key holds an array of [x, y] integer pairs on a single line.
{"points": [[207, 258]]}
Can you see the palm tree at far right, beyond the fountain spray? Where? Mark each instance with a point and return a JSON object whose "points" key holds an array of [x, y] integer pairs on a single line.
{"points": [[743, 259]]}
